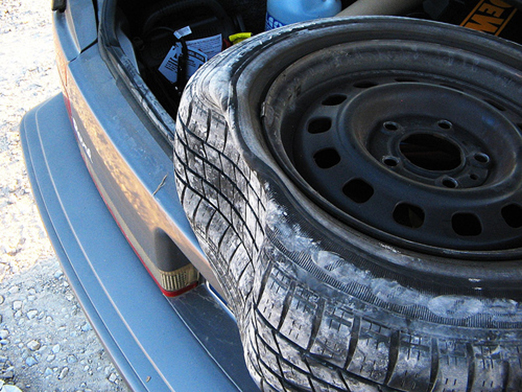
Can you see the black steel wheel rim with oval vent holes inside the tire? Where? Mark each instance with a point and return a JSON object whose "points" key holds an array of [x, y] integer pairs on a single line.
{"points": [[412, 142]]}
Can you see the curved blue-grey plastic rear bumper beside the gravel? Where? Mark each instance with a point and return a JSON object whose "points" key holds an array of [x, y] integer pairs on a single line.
{"points": [[183, 344]]}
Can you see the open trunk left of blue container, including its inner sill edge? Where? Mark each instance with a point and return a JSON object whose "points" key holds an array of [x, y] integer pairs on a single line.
{"points": [[139, 39]]}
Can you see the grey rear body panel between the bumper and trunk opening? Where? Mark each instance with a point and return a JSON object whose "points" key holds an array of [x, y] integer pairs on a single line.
{"points": [[131, 168]]}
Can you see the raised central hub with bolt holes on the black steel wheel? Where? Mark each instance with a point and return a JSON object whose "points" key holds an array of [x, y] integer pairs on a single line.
{"points": [[427, 133]]}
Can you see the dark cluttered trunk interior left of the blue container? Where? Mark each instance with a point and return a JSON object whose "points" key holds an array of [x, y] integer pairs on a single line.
{"points": [[146, 33]]}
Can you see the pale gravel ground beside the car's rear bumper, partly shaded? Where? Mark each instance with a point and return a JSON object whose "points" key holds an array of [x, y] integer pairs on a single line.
{"points": [[46, 343]]}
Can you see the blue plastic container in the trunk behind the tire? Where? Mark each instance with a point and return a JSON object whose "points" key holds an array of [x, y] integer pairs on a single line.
{"points": [[284, 12]]}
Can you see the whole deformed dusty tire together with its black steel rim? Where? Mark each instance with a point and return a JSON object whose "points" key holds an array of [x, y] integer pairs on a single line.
{"points": [[356, 187]]}
